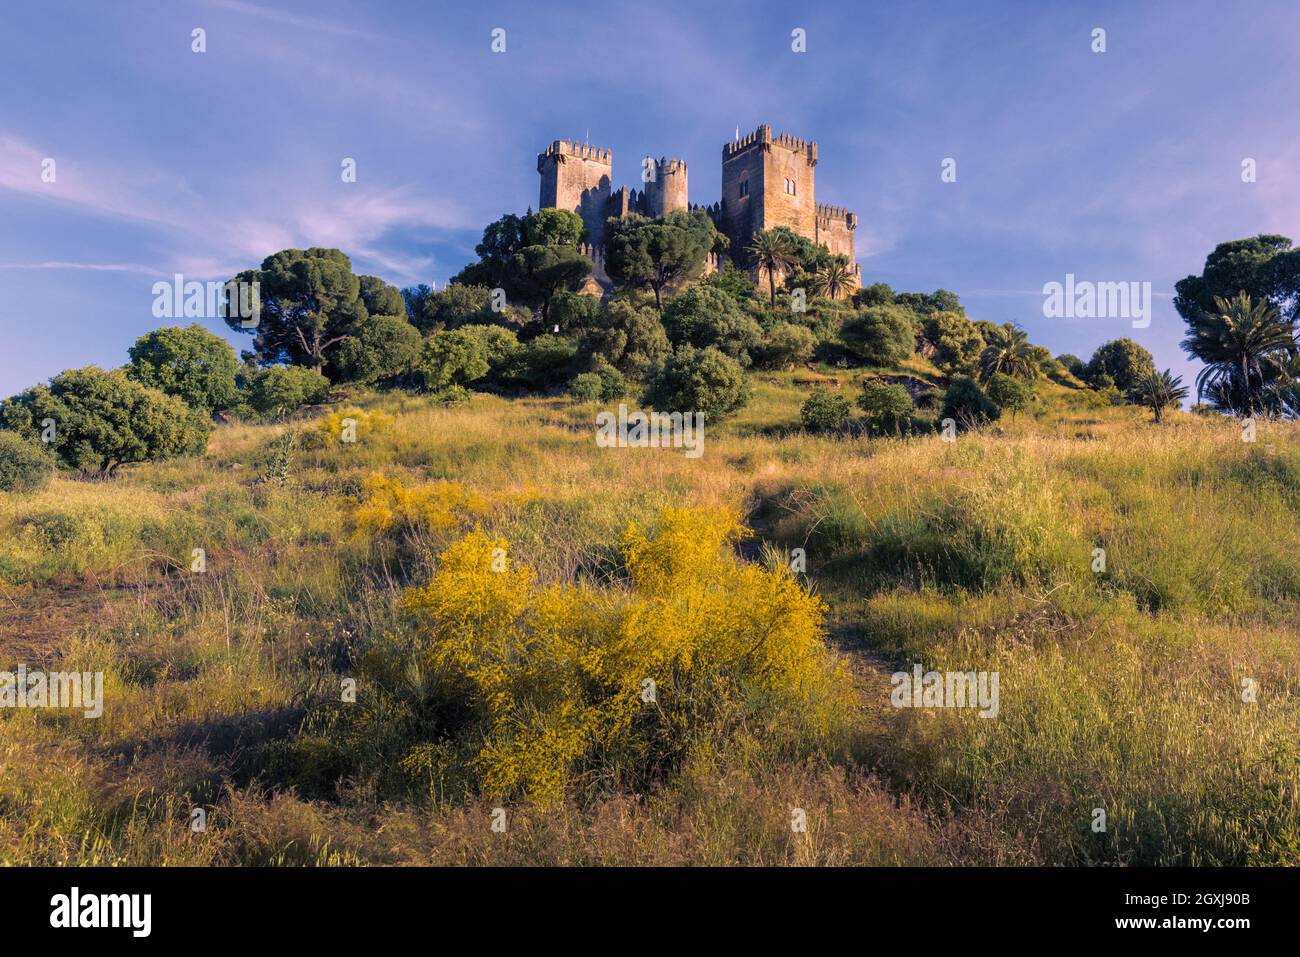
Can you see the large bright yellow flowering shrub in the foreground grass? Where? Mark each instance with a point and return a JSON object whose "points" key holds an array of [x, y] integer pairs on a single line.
{"points": [[574, 687]]}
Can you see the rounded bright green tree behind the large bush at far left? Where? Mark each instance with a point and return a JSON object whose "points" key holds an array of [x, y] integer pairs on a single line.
{"points": [[192, 363]]}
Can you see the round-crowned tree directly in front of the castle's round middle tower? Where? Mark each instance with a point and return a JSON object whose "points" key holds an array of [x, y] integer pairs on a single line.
{"points": [[652, 256]]}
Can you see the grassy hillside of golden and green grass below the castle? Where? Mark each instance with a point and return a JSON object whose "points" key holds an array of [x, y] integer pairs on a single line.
{"points": [[1120, 691]]}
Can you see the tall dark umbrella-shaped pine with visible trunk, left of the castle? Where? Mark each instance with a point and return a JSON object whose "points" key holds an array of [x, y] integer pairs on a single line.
{"points": [[310, 304]]}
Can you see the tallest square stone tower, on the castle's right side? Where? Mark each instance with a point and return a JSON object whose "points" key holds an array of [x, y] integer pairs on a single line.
{"points": [[768, 181]]}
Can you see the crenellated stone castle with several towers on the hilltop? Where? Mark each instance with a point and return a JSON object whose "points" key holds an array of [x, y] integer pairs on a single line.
{"points": [[768, 181]]}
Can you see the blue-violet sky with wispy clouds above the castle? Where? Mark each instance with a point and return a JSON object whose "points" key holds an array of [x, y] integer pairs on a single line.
{"points": [[1115, 167]]}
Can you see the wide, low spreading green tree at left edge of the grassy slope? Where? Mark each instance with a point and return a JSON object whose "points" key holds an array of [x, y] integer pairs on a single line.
{"points": [[101, 421]]}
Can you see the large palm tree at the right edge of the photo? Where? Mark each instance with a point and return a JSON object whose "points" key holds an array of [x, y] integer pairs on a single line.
{"points": [[1247, 350]]}
